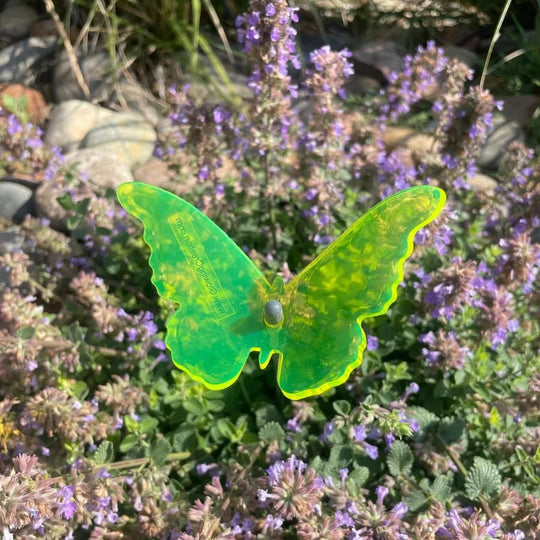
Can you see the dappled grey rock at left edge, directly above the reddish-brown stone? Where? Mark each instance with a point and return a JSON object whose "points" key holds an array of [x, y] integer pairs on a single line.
{"points": [[21, 62]]}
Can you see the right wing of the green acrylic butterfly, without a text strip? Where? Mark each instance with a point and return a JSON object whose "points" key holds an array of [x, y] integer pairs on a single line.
{"points": [[321, 339]]}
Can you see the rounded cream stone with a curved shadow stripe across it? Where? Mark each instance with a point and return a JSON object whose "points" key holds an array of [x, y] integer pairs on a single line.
{"points": [[125, 135]]}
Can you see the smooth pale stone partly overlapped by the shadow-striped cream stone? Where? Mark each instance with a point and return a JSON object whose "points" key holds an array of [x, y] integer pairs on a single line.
{"points": [[71, 120]]}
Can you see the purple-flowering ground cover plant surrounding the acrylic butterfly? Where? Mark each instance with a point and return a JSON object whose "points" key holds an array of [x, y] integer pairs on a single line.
{"points": [[434, 436]]}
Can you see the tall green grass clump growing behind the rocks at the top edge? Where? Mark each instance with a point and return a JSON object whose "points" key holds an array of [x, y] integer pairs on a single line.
{"points": [[163, 30]]}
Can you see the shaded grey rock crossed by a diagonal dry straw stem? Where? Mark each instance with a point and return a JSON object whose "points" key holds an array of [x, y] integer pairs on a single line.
{"points": [[97, 72]]}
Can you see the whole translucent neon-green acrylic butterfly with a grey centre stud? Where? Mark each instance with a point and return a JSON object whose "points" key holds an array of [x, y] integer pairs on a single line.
{"points": [[228, 309]]}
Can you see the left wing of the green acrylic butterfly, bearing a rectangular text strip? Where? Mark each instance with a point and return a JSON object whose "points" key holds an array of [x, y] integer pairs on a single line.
{"points": [[219, 289]]}
